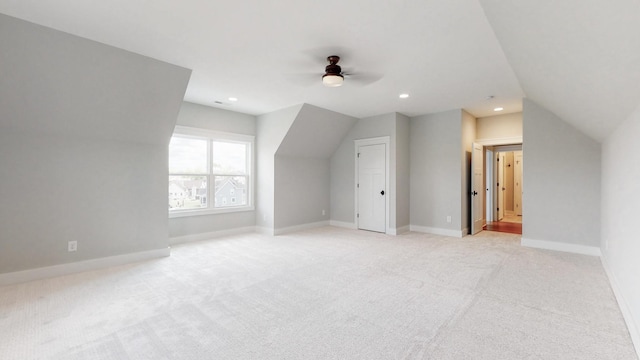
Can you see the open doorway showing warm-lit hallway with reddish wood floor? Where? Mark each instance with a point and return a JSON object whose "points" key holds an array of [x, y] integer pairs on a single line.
{"points": [[504, 166]]}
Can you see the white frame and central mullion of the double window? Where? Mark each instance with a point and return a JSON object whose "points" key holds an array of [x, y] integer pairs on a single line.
{"points": [[211, 136]]}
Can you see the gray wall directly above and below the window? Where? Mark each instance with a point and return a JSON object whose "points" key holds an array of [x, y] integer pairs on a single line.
{"points": [[205, 117]]}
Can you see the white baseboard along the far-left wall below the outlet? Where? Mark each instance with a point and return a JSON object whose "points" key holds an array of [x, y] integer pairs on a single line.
{"points": [[81, 266]]}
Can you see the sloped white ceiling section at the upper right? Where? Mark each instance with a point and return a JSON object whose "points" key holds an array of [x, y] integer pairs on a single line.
{"points": [[578, 58]]}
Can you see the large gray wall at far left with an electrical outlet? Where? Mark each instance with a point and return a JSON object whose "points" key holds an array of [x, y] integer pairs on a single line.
{"points": [[84, 131]]}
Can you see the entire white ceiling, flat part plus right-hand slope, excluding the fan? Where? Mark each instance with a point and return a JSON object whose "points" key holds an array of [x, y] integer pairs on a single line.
{"points": [[445, 54]]}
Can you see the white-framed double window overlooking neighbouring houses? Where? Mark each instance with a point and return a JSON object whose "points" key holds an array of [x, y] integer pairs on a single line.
{"points": [[205, 169]]}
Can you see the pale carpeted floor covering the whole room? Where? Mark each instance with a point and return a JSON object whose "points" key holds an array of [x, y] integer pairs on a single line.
{"points": [[326, 293]]}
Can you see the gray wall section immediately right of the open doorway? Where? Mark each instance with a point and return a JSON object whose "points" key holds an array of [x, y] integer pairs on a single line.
{"points": [[561, 180]]}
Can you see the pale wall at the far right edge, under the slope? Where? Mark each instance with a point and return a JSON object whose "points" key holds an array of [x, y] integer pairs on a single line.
{"points": [[620, 211]]}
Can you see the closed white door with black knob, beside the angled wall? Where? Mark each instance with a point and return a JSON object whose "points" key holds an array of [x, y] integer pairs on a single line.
{"points": [[372, 188]]}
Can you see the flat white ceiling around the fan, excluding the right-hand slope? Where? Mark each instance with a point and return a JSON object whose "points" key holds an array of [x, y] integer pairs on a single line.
{"points": [[271, 55]]}
